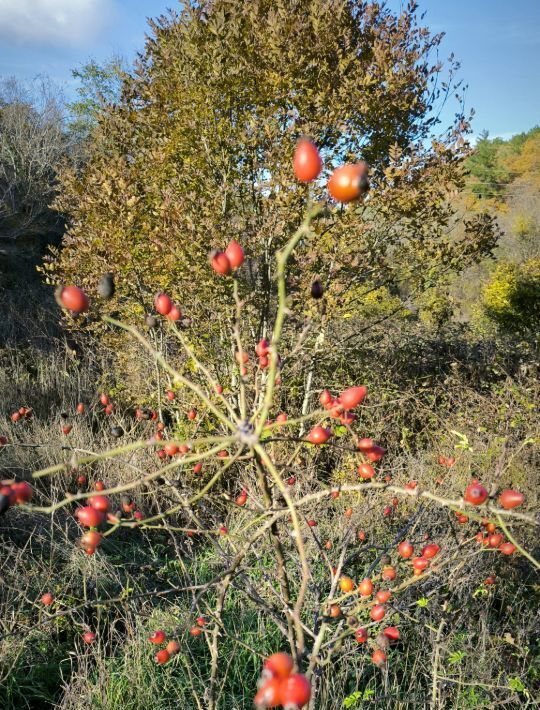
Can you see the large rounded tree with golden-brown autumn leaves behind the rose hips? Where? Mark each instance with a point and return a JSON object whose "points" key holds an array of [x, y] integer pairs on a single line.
{"points": [[198, 150]]}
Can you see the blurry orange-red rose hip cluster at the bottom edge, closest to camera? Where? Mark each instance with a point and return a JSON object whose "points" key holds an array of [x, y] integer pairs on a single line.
{"points": [[279, 686]]}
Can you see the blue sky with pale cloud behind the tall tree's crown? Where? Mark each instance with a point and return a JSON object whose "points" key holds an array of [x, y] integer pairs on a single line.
{"points": [[497, 41]]}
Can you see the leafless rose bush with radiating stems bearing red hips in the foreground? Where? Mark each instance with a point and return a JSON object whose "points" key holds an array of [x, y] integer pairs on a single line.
{"points": [[346, 560]]}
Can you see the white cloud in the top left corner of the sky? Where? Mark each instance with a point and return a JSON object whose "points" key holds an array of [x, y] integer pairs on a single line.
{"points": [[53, 22]]}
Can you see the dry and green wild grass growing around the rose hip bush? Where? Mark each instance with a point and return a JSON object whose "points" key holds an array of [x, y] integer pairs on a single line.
{"points": [[463, 645]]}
